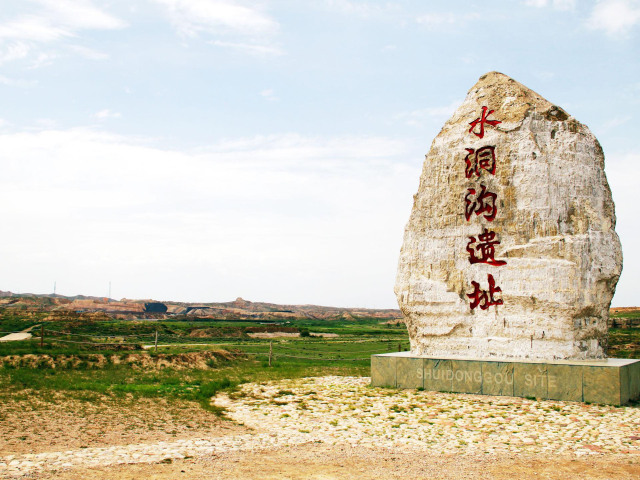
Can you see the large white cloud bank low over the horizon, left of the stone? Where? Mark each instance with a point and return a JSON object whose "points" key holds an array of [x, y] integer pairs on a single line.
{"points": [[284, 218]]}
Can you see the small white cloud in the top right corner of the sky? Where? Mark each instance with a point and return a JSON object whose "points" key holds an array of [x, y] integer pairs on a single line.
{"points": [[615, 17]]}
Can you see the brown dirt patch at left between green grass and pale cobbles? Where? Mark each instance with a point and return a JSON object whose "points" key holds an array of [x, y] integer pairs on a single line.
{"points": [[59, 423]]}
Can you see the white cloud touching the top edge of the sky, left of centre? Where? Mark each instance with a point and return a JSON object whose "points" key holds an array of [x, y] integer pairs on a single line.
{"points": [[191, 17]]}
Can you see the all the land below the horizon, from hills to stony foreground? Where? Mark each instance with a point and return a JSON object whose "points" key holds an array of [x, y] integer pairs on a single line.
{"points": [[94, 401]]}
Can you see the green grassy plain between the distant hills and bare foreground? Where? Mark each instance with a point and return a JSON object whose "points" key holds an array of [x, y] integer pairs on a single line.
{"points": [[81, 344]]}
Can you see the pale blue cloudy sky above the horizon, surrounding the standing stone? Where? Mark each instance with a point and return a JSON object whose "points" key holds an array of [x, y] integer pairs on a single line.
{"points": [[201, 150]]}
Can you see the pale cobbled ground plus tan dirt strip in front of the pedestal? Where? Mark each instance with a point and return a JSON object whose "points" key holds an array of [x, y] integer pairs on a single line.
{"points": [[339, 427]]}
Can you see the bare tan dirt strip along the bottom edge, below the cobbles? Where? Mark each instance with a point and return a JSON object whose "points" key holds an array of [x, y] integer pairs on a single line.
{"points": [[321, 462]]}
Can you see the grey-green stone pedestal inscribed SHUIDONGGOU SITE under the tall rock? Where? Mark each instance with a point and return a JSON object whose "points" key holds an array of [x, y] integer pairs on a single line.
{"points": [[613, 381]]}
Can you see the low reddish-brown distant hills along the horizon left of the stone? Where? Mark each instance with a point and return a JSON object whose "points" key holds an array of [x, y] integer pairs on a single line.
{"points": [[236, 309]]}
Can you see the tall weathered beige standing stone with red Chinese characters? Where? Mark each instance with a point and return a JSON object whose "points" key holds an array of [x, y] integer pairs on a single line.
{"points": [[558, 259]]}
